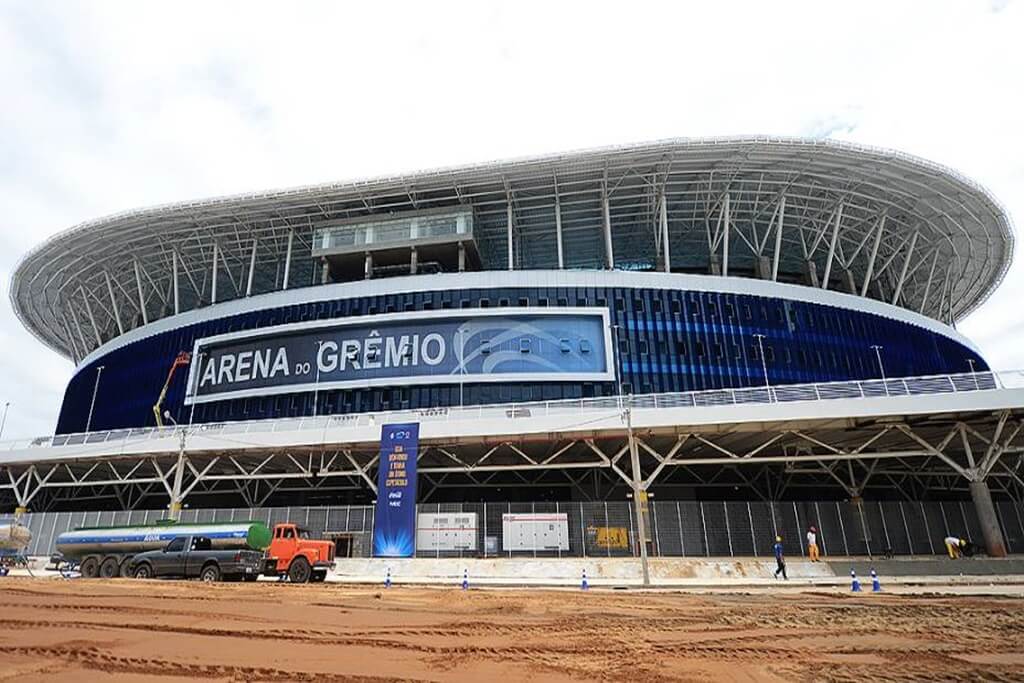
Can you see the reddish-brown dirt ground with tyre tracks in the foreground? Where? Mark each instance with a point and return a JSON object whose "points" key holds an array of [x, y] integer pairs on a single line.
{"points": [[161, 631]]}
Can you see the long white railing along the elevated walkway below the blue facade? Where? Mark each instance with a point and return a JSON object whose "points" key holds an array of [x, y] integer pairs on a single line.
{"points": [[785, 394]]}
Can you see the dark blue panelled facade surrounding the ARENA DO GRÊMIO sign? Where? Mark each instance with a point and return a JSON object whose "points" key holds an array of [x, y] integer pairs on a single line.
{"points": [[668, 340]]}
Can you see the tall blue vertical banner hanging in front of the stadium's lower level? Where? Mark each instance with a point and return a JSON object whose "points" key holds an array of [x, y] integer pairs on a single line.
{"points": [[395, 517]]}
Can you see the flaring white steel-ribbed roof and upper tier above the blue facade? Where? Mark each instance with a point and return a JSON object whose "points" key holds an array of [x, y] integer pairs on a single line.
{"points": [[819, 214]]}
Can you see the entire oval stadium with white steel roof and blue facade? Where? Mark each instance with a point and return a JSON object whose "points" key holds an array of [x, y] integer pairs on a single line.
{"points": [[685, 324]]}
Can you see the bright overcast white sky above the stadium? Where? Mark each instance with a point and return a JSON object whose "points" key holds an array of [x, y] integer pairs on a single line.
{"points": [[111, 106]]}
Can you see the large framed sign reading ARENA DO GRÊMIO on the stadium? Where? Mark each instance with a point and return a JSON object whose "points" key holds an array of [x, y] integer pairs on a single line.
{"points": [[401, 350]]}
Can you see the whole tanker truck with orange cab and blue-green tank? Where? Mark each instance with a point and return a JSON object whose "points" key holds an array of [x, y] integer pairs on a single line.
{"points": [[108, 552]]}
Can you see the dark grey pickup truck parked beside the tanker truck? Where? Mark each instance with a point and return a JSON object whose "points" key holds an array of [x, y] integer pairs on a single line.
{"points": [[193, 557]]}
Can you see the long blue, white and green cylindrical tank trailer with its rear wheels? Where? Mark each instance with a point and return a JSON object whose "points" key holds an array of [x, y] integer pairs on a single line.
{"points": [[106, 551]]}
